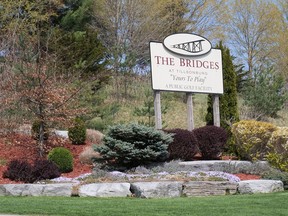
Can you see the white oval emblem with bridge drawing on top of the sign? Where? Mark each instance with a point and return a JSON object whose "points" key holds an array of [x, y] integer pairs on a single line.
{"points": [[187, 44]]}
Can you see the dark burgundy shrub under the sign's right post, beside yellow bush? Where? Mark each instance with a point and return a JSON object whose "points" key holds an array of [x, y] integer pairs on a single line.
{"points": [[211, 141]]}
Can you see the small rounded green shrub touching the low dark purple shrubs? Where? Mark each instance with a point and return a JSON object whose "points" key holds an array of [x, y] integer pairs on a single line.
{"points": [[63, 158]]}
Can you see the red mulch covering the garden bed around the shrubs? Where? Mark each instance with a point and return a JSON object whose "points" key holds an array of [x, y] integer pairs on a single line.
{"points": [[23, 147]]}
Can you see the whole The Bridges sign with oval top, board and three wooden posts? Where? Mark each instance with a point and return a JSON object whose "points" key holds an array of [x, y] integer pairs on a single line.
{"points": [[186, 63]]}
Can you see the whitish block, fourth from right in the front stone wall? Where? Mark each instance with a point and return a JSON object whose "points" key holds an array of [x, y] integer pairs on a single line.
{"points": [[105, 190]]}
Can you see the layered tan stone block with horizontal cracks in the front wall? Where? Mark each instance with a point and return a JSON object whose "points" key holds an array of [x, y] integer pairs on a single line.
{"points": [[208, 188]]}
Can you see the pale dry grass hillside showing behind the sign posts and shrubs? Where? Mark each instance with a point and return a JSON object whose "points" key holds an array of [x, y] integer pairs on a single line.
{"points": [[176, 116]]}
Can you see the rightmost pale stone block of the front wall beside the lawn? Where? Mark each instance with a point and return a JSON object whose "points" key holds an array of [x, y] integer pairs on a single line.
{"points": [[260, 186]]}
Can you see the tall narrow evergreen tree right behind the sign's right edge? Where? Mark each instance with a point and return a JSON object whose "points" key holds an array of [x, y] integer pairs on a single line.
{"points": [[228, 101]]}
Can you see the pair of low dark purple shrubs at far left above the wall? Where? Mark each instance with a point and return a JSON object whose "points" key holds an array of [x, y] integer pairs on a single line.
{"points": [[18, 170]]}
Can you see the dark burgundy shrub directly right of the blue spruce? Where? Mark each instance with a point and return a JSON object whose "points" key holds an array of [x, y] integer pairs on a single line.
{"points": [[184, 145]]}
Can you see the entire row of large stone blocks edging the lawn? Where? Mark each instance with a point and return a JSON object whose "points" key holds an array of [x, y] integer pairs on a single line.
{"points": [[143, 189]]}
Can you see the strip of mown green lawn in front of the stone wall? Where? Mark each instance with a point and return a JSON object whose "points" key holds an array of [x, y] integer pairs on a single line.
{"points": [[234, 205]]}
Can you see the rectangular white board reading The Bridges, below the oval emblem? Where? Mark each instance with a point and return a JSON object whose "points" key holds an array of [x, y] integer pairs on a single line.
{"points": [[183, 73]]}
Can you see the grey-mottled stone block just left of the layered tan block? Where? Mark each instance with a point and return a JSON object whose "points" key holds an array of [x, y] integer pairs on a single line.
{"points": [[156, 189]]}
